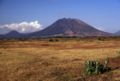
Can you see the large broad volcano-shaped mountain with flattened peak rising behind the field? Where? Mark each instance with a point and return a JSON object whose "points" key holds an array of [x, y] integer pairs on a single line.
{"points": [[69, 27]]}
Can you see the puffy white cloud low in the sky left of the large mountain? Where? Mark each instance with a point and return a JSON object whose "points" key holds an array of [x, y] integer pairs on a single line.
{"points": [[23, 27]]}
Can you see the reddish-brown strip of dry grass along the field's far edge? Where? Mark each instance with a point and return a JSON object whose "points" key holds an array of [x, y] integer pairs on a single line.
{"points": [[60, 44]]}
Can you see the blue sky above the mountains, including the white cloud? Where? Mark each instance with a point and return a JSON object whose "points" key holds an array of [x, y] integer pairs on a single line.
{"points": [[34, 15]]}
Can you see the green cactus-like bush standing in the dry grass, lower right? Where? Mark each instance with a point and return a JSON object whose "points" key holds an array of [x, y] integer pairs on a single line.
{"points": [[95, 67]]}
